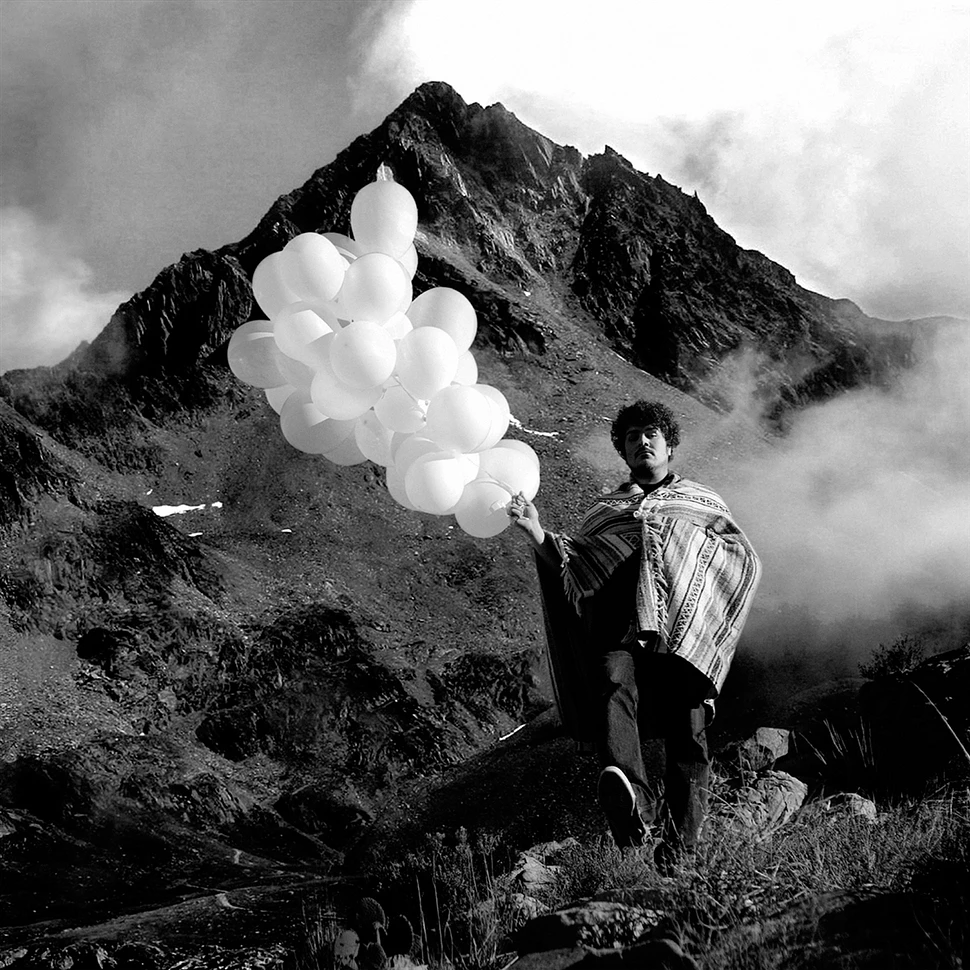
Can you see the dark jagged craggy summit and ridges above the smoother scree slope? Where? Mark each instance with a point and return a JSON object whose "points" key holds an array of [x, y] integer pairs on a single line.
{"points": [[503, 206]]}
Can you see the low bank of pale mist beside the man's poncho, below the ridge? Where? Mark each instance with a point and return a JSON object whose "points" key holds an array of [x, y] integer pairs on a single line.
{"points": [[862, 513]]}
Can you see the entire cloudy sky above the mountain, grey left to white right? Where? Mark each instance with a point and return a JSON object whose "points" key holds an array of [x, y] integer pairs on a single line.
{"points": [[832, 137]]}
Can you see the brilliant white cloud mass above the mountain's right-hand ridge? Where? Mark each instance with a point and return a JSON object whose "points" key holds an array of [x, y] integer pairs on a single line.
{"points": [[833, 138]]}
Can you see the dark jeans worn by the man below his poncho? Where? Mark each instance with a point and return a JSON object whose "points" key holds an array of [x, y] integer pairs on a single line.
{"points": [[646, 695]]}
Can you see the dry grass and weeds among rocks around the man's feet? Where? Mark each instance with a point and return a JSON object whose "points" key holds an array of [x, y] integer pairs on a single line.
{"points": [[728, 905]]}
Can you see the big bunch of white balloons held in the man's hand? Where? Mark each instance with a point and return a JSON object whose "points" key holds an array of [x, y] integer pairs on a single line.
{"points": [[358, 370]]}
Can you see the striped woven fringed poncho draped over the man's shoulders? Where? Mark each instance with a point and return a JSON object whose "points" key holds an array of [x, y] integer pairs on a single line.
{"points": [[670, 563]]}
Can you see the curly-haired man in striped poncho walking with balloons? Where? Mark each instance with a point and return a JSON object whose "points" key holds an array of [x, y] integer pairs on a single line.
{"points": [[644, 606]]}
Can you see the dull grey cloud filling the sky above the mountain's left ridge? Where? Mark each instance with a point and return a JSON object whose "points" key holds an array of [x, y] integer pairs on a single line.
{"points": [[145, 130]]}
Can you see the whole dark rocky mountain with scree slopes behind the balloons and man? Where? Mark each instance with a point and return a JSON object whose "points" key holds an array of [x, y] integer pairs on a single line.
{"points": [[229, 696]]}
